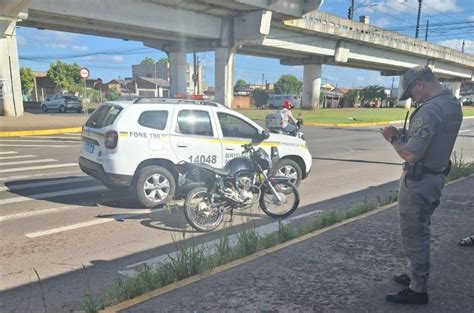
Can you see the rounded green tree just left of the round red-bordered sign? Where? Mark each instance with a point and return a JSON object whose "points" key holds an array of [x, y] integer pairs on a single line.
{"points": [[65, 76]]}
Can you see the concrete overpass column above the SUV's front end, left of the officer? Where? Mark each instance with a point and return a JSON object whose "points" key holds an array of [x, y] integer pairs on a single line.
{"points": [[311, 86]]}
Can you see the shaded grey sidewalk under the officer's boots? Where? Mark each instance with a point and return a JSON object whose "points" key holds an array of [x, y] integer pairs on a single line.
{"points": [[345, 269]]}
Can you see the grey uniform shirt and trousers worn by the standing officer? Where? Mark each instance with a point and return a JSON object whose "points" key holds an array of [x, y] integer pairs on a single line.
{"points": [[432, 133]]}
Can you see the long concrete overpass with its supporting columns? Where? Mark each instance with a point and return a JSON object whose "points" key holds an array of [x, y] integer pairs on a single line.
{"points": [[290, 30]]}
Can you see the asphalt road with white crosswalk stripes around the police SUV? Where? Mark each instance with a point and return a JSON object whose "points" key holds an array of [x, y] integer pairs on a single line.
{"points": [[78, 236]]}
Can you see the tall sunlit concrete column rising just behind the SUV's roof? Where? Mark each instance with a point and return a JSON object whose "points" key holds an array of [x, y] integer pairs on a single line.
{"points": [[224, 72]]}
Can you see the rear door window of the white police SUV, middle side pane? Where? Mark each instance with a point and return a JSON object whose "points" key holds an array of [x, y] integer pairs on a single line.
{"points": [[194, 122]]}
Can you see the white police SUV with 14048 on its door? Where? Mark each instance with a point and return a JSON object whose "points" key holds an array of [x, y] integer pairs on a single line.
{"points": [[137, 144]]}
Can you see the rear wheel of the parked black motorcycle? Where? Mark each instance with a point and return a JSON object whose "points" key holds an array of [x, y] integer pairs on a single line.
{"points": [[199, 211]]}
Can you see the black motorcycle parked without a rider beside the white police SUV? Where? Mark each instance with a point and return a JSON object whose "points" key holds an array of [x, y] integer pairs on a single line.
{"points": [[242, 182]]}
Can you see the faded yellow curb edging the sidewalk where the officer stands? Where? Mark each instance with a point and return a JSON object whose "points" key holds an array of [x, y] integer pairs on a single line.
{"points": [[196, 278]]}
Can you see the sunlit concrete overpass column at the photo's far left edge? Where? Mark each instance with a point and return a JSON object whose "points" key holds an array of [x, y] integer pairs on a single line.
{"points": [[11, 101]]}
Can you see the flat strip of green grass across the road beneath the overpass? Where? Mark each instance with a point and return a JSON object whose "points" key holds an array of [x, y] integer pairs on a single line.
{"points": [[344, 116]]}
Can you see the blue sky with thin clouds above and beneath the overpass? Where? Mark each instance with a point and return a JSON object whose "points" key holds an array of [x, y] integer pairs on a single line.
{"points": [[451, 22]]}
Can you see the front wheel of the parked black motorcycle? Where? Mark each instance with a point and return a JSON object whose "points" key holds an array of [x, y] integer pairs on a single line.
{"points": [[281, 204]]}
